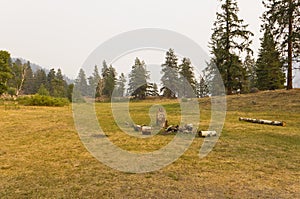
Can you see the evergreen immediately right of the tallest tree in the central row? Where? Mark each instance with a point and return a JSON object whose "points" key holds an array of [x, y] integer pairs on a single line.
{"points": [[187, 79]]}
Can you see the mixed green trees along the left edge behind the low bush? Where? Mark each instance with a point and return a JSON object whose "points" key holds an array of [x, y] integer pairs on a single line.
{"points": [[17, 78]]}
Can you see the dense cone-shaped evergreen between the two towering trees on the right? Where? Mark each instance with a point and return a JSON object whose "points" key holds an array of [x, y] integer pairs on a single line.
{"points": [[269, 68]]}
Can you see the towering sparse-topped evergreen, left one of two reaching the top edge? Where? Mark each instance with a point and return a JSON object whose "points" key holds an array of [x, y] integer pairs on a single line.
{"points": [[230, 38]]}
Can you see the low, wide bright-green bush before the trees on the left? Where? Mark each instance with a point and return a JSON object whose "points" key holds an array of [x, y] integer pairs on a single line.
{"points": [[41, 100]]}
